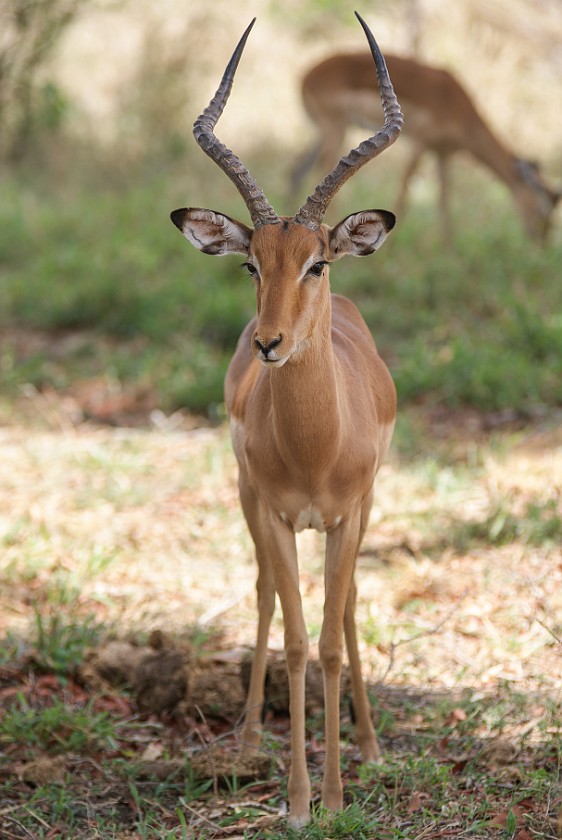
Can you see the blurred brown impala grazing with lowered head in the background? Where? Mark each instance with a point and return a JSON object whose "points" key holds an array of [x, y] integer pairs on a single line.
{"points": [[440, 118]]}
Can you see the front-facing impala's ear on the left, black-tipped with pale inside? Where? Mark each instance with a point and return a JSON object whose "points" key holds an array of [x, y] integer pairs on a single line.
{"points": [[212, 233]]}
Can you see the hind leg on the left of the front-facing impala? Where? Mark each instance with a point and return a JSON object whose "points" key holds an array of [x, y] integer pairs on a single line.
{"points": [[251, 732]]}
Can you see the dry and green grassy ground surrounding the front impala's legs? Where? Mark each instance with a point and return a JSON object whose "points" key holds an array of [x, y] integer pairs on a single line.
{"points": [[458, 616]]}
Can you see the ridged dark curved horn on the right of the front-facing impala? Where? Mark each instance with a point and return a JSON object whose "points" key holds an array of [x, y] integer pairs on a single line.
{"points": [[314, 210]]}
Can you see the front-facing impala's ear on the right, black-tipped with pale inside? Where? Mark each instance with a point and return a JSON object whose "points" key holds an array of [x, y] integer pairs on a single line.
{"points": [[361, 233]]}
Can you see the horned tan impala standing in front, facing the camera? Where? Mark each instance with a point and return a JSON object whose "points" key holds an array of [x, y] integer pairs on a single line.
{"points": [[312, 410]]}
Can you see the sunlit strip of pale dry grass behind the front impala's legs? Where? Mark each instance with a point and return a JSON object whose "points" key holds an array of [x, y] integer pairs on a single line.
{"points": [[145, 525]]}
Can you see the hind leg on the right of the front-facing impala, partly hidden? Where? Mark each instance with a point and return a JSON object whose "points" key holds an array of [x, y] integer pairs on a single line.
{"points": [[365, 736]]}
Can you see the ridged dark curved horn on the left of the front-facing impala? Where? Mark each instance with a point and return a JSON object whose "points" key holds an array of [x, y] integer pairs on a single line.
{"points": [[259, 208]]}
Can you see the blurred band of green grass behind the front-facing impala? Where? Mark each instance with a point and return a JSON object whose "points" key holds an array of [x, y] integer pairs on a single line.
{"points": [[477, 323]]}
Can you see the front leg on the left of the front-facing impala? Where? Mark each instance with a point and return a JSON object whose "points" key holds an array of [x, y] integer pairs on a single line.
{"points": [[283, 553]]}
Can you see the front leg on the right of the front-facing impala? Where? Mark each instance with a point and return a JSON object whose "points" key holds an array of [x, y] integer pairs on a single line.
{"points": [[341, 550]]}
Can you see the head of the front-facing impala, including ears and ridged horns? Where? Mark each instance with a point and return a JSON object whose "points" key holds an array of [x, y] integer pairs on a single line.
{"points": [[288, 257]]}
